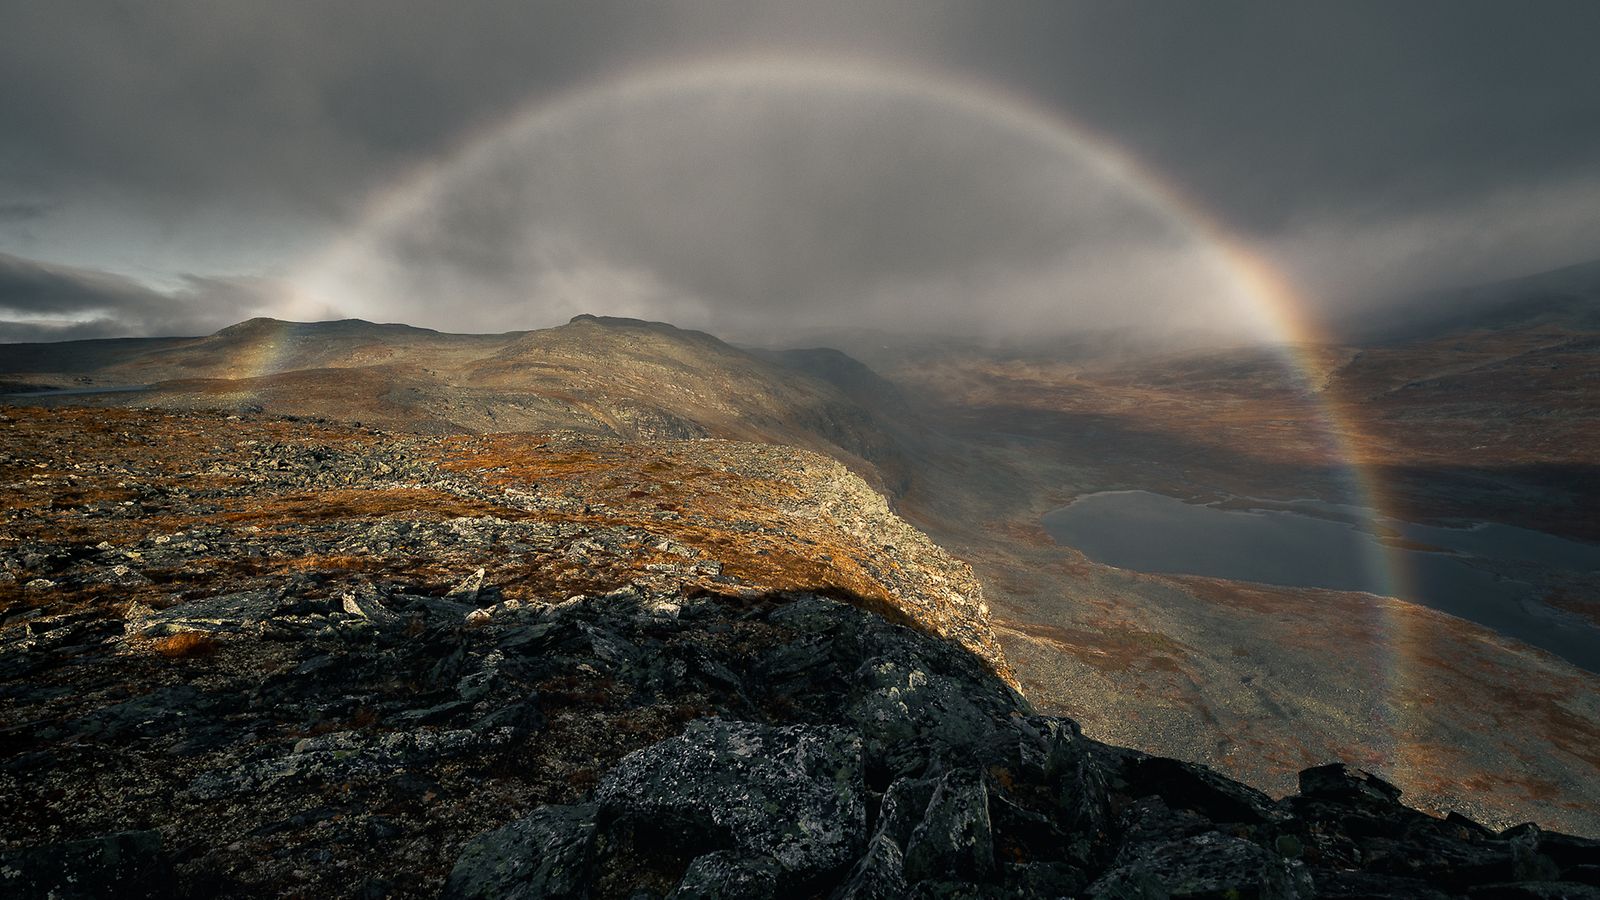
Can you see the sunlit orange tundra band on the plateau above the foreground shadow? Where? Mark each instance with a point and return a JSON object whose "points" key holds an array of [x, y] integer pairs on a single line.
{"points": [[170, 478]]}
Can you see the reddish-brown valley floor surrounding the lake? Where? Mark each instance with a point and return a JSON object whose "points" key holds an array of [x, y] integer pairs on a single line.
{"points": [[1255, 680]]}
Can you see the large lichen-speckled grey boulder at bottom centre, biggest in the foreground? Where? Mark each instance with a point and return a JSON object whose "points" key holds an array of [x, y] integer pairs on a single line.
{"points": [[791, 794]]}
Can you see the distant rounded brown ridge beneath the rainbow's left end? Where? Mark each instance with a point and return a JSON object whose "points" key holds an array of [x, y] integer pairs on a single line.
{"points": [[612, 376]]}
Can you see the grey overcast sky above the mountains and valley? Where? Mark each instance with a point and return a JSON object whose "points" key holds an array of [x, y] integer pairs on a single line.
{"points": [[174, 166]]}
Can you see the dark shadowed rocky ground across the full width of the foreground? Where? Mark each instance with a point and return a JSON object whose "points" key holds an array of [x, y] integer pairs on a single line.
{"points": [[836, 755]]}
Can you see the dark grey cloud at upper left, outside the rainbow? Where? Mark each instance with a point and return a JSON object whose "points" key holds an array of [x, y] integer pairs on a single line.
{"points": [[310, 102]]}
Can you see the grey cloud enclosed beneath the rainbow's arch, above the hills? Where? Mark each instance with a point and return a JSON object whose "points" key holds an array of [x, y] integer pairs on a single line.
{"points": [[750, 199]]}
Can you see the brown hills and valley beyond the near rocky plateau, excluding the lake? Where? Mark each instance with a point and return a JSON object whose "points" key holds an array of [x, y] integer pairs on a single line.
{"points": [[975, 444]]}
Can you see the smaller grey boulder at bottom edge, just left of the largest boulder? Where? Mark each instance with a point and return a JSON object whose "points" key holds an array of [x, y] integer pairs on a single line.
{"points": [[542, 856]]}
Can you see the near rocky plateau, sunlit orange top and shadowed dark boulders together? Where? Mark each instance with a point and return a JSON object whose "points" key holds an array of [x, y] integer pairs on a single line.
{"points": [[268, 657]]}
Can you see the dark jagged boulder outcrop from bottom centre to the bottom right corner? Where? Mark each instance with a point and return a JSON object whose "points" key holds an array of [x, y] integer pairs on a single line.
{"points": [[918, 774]]}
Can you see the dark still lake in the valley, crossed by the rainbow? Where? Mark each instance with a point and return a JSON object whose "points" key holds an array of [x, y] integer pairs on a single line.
{"points": [[1486, 574]]}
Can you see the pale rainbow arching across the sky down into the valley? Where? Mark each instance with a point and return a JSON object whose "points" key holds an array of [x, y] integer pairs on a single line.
{"points": [[1270, 302]]}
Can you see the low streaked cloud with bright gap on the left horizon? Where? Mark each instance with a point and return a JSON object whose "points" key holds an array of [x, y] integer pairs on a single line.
{"points": [[41, 302]]}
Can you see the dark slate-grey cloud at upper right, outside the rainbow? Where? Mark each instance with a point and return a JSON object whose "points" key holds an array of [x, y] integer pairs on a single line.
{"points": [[1273, 111]]}
